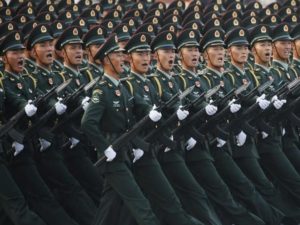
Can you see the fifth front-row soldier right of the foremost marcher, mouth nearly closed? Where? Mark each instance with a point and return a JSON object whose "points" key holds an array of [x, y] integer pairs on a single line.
{"points": [[244, 149]]}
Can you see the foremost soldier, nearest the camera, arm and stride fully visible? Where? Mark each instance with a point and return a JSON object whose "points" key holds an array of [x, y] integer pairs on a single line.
{"points": [[109, 114]]}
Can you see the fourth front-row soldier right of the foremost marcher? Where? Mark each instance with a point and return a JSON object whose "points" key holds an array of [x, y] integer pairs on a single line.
{"points": [[212, 45]]}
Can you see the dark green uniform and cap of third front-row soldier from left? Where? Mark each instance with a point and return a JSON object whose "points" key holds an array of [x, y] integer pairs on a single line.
{"points": [[76, 155]]}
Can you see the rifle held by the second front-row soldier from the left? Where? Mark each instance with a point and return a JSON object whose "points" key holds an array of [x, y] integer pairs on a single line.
{"points": [[44, 118]]}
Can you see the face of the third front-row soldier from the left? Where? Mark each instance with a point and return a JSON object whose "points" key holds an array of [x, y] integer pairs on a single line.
{"points": [[73, 54]]}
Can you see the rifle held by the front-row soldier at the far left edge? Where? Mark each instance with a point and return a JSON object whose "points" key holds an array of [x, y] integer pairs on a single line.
{"points": [[42, 98]]}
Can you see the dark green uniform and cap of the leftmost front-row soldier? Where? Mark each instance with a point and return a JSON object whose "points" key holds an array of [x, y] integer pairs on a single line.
{"points": [[22, 166]]}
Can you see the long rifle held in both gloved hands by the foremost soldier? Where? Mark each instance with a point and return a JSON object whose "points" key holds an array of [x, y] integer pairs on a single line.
{"points": [[129, 135]]}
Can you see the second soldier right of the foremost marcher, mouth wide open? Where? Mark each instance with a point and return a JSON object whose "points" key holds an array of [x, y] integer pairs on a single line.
{"points": [[192, 196]]}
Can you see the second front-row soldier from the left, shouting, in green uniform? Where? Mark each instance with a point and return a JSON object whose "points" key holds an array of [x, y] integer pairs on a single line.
{"points": [[49, 158]]}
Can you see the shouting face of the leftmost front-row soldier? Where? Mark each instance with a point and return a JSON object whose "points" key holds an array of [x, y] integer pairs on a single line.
{"points": [[14, 61]]}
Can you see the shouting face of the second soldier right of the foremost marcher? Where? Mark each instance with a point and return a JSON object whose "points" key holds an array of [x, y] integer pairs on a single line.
{"points": [[165, 59]]}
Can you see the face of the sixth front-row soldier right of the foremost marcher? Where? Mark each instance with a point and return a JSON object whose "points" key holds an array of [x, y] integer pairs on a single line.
{"points": [[262, 51]]}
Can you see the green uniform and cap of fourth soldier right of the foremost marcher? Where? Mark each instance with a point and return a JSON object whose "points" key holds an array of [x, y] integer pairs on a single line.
{"points": [[239, 184]]}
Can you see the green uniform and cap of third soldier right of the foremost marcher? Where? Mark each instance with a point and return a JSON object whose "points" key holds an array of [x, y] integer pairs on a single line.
{"points": [[199, 158]]}
